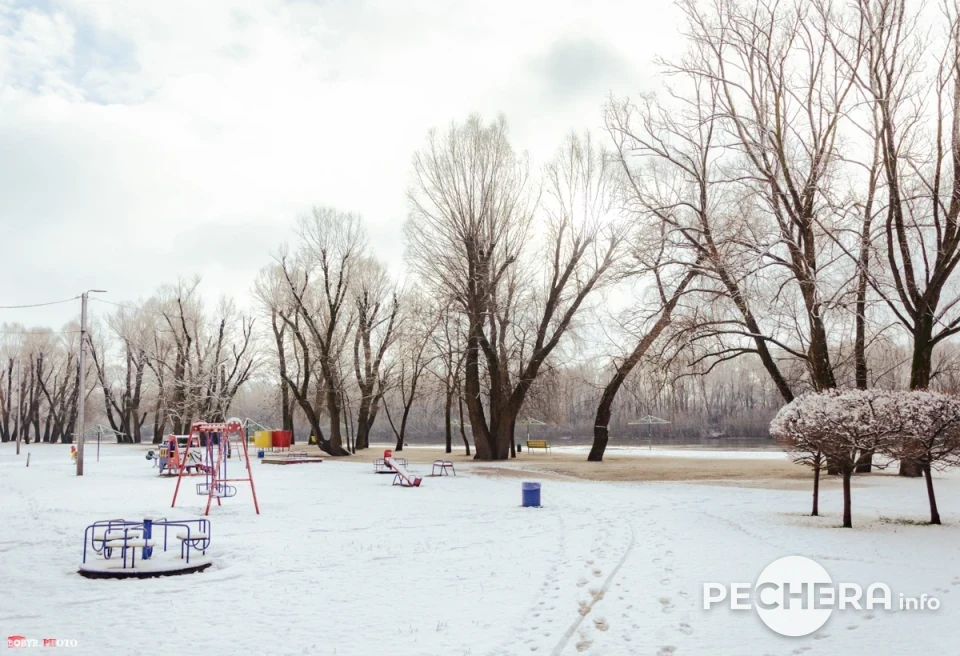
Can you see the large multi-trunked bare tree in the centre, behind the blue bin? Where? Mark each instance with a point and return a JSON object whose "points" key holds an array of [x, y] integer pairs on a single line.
{"points": [[471, 225]]}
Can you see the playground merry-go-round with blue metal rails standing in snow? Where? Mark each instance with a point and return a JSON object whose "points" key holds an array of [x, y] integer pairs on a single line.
{"points": [[122, 538]]}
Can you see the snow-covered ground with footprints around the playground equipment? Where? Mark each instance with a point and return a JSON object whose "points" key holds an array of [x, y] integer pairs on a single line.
{"points": [[343, 564]]}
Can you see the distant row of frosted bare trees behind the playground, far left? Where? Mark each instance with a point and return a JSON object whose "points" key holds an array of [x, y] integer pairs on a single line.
{"points": [[155, 367]]}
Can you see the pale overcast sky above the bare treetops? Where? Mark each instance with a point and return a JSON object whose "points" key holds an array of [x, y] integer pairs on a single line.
{"points": [[141, 141]]}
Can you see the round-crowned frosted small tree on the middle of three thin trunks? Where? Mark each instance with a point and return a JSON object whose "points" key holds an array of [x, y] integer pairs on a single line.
{"points": [[842, 425]]}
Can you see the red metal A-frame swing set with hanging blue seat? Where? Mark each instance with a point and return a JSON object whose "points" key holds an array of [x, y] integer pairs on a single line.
{"points": [[217, 442]]}
